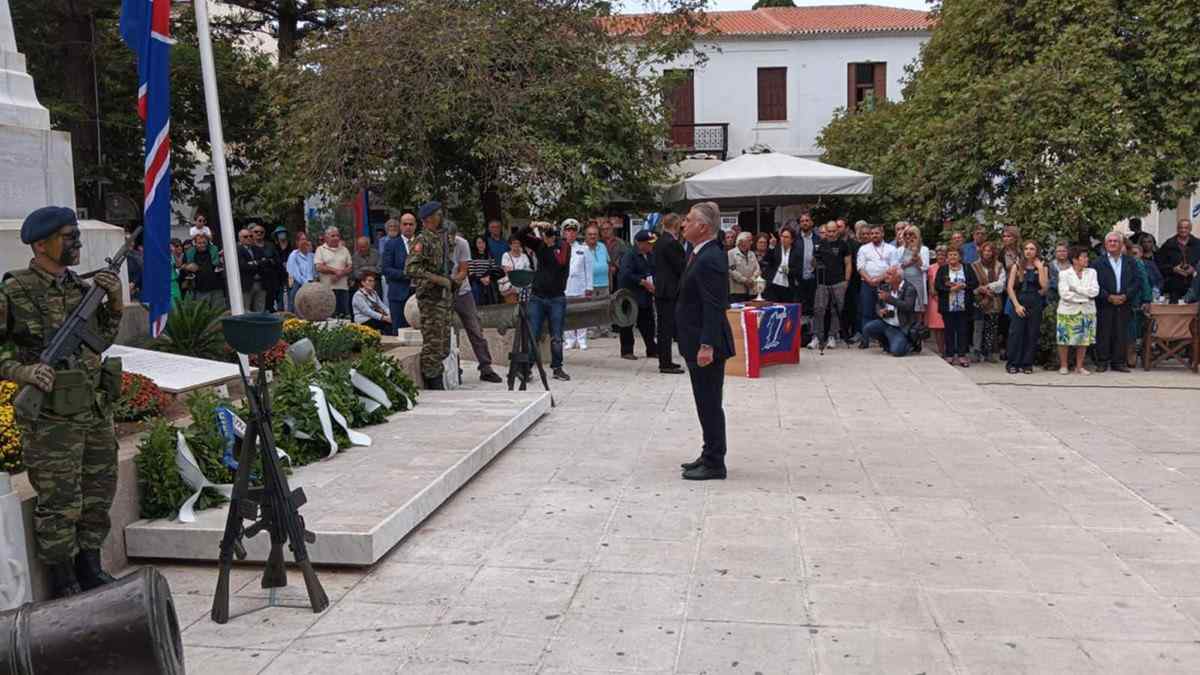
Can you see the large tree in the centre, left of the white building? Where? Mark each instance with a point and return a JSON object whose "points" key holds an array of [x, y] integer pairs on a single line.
{"points": [[529, 101]]}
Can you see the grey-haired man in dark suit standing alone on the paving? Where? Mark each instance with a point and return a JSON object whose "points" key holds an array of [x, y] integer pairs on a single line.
{"points": [[705, 338]]}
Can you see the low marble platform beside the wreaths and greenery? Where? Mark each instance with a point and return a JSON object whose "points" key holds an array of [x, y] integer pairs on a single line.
{"points": [[364, 501]]}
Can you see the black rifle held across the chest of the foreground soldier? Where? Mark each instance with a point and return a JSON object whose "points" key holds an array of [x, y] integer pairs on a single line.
{"points": [[75, 334]]}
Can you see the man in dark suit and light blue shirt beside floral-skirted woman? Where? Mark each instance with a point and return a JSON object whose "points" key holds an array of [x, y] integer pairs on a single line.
{"points": [[1118, 276]]}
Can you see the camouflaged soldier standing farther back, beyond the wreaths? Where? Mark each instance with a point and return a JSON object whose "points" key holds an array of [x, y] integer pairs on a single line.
{"points": [[429, 267]]}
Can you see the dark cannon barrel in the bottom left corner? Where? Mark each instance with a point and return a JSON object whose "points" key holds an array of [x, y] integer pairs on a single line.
{"points": [[123, 629]]}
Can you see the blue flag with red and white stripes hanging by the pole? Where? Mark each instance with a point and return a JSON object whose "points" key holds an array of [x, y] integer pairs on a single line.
{"points": [[146, 29]]}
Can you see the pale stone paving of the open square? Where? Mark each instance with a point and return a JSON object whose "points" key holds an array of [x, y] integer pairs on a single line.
{"points": [[881, 516]]}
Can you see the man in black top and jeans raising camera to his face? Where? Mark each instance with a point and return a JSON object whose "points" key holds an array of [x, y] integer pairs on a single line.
{"points": [[548, 297]]}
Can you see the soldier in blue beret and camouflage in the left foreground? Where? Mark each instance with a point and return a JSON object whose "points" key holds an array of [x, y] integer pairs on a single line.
{"points": [[70, 449]]}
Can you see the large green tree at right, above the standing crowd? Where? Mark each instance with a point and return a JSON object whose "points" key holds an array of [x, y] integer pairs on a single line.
{"points": [[1070, 120]]}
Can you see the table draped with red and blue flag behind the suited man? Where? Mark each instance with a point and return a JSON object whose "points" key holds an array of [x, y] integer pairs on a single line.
{"points": [[764, 334]]}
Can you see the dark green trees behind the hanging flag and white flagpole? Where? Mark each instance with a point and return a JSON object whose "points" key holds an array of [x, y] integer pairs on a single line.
{"points": [[63, 71]]}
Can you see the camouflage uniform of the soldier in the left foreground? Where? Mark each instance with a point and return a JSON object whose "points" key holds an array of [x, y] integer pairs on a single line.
{"points": [[71, 461]]}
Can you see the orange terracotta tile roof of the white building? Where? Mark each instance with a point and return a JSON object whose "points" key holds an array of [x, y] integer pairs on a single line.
{"points": [[805, 21]]}
